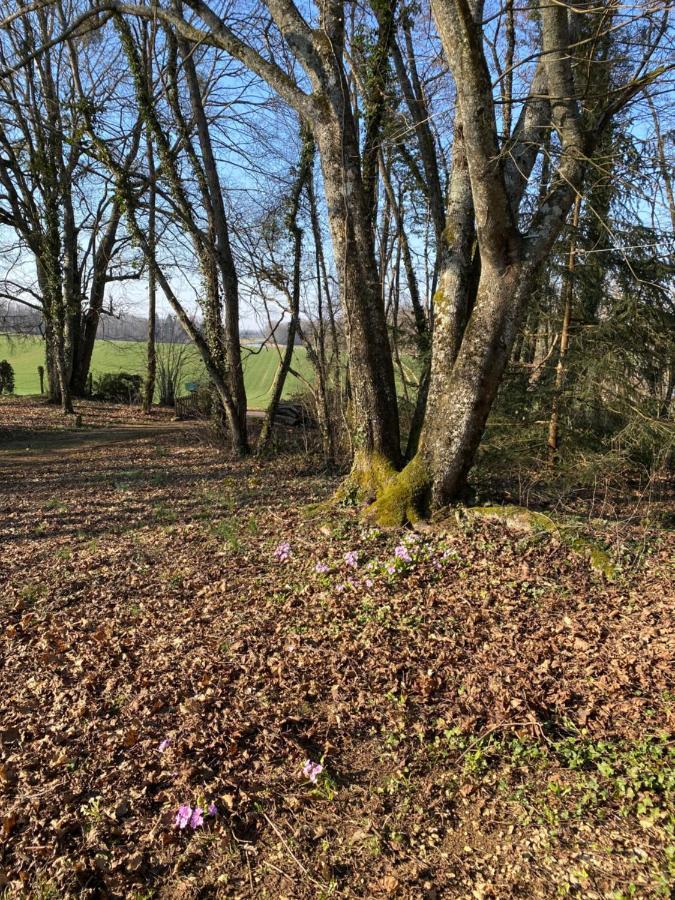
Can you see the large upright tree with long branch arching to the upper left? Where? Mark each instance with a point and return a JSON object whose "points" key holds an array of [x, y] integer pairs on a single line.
{"points": [[322, 99]]}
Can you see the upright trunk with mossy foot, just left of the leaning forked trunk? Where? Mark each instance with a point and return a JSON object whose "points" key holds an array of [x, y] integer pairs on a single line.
{"points": [[350, 182]]}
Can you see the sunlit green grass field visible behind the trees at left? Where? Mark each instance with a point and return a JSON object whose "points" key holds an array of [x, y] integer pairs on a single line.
{"points": [[27, 353]]}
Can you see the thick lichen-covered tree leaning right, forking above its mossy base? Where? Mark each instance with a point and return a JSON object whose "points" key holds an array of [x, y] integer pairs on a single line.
{"points": [[477, 318]]}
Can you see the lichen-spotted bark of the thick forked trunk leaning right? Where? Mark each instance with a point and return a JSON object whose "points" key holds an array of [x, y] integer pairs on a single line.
{"points": [[468, 364]]}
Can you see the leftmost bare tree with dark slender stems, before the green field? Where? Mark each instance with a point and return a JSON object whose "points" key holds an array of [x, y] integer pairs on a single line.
{"points": [[61, 210]]}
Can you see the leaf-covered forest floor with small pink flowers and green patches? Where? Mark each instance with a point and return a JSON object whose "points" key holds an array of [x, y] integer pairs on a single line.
{"points": [[493, 716]]}
